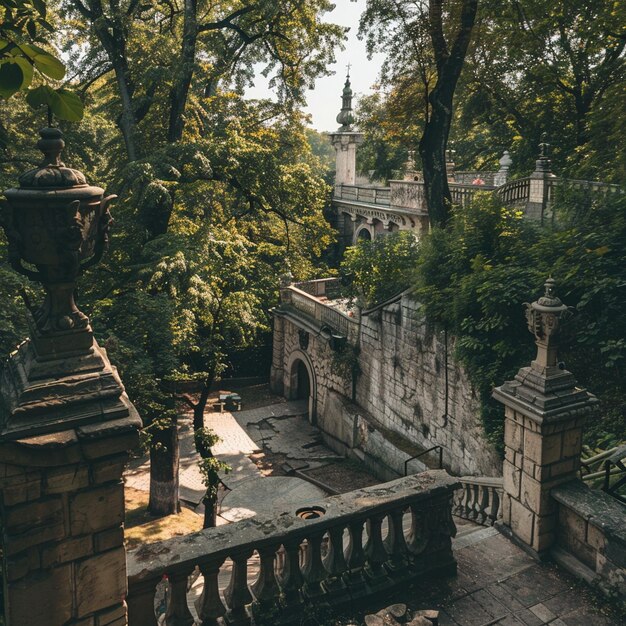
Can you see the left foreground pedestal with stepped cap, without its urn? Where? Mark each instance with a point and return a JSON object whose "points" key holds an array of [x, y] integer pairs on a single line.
{"points": [[62, 501]]}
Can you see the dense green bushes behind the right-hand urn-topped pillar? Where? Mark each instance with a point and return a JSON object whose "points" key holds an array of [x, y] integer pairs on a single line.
{"points": [[473, 277]]}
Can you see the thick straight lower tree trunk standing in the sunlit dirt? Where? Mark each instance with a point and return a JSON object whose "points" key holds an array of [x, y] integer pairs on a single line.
{"points": [[164, 461]]}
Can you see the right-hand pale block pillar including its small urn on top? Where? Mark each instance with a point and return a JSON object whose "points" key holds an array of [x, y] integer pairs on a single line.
{"points": [[544, 414]]}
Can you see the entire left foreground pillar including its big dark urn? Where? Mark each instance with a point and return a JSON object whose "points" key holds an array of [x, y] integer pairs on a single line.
{"points": [[66, 423]]}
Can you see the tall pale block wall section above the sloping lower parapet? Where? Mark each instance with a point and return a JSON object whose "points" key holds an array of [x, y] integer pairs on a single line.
{"points": [[403, 386]]}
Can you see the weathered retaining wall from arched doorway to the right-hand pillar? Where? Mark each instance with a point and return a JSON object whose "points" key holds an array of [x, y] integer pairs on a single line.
{"points": [[398, 409]]}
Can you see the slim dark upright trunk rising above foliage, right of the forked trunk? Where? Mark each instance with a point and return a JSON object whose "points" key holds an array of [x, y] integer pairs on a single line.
{"points": [[180, 90]]}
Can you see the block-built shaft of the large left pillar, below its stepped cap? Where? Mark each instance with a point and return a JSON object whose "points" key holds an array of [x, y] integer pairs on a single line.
{"points": [[62, 508]]}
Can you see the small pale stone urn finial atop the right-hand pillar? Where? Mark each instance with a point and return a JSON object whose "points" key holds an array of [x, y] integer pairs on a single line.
{"points": [[543, 318]]}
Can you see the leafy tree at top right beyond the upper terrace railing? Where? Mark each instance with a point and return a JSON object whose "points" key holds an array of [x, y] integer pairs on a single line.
{"points": [[536, 67]]}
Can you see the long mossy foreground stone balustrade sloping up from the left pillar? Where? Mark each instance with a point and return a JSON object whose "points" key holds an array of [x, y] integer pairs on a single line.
{"points": [[346, 547]]}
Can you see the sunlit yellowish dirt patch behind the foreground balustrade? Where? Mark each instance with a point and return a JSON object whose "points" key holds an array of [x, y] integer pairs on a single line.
{"points": [[141, 527]]}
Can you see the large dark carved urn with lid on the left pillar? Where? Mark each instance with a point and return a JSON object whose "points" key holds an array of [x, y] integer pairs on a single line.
{"points": [[57, 224]]}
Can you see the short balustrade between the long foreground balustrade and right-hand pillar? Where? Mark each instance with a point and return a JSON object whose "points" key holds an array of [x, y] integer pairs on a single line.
{"points": [[479, 499]]}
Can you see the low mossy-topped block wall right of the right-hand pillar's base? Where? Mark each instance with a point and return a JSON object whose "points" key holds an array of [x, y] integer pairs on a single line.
{"points": [[590, 527]]}
